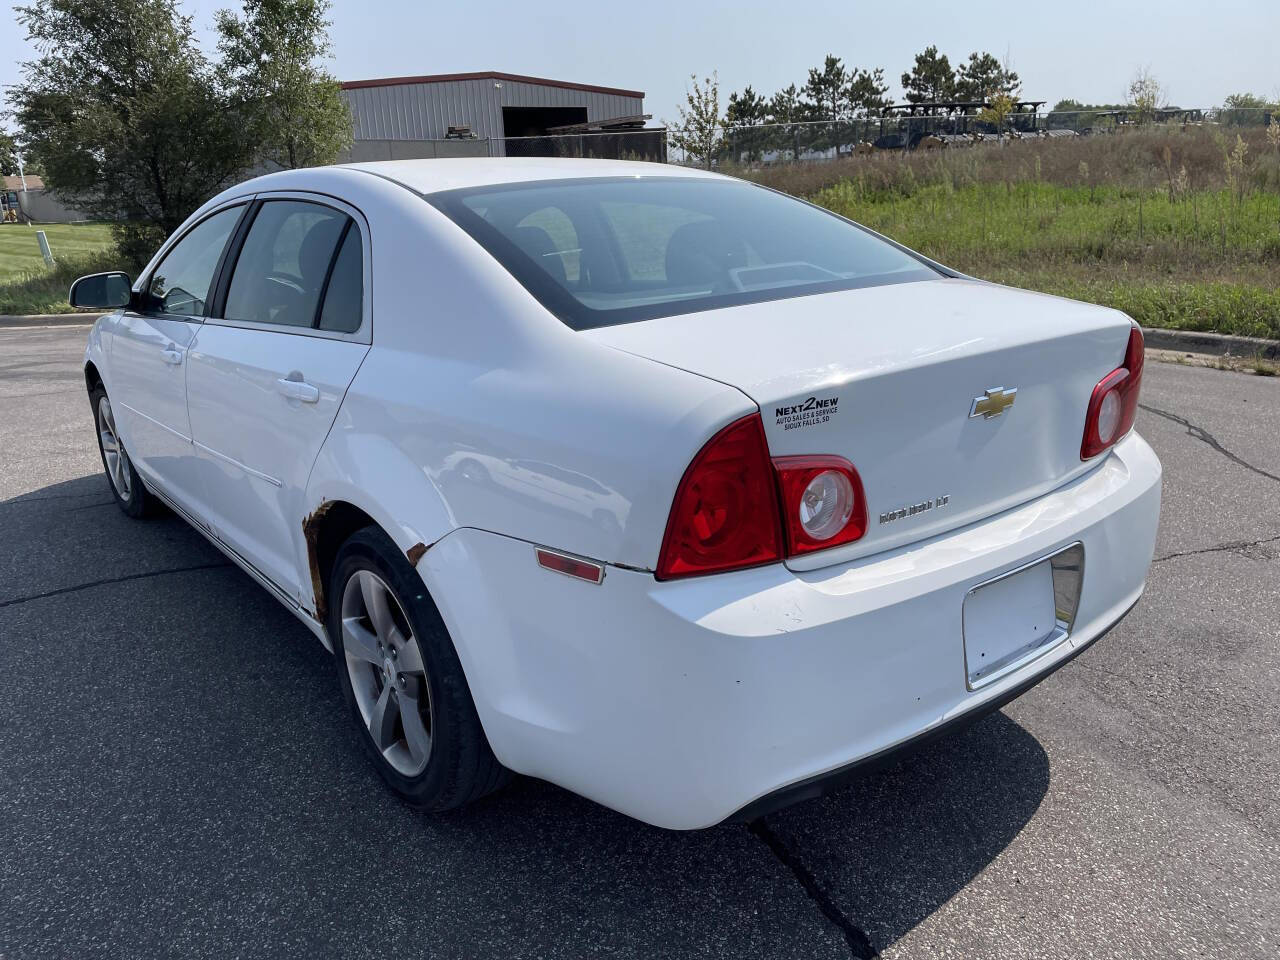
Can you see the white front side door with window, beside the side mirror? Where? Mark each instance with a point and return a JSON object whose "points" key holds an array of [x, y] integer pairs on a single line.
{"points": [[149, 349]]}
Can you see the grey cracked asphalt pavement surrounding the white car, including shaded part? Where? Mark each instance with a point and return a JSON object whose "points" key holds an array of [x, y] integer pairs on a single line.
{"points": [[179, 776]]}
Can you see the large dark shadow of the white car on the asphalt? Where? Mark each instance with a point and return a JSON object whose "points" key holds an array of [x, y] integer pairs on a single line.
{"points": [[203, 785]]}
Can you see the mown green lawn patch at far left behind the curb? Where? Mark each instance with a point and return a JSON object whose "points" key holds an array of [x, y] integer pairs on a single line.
{"points": [[30, 287]]}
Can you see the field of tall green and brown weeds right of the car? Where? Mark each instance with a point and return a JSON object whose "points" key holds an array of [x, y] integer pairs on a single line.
{"points": [[1176, 228]]}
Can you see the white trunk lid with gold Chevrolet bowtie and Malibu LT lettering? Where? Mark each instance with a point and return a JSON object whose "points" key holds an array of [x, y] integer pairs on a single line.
{"points": [[890, 377]]}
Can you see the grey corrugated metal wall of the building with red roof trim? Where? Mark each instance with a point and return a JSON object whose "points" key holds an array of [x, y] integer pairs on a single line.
{"points": [[427, 111]]}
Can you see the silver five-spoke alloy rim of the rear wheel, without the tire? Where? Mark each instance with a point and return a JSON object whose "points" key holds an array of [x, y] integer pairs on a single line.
{"points": [[388, 679]]}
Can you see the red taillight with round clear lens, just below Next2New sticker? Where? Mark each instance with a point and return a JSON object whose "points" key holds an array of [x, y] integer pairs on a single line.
{"points": [[822, 502]]}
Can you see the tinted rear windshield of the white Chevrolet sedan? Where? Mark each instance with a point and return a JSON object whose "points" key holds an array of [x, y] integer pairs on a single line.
{"points": [[611, 252]]}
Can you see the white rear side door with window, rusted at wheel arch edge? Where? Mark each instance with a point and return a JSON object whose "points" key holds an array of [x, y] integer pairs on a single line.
{"points": [[287, 333]]}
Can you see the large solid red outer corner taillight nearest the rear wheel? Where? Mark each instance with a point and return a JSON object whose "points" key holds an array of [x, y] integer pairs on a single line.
{"points": [[726, 510]]}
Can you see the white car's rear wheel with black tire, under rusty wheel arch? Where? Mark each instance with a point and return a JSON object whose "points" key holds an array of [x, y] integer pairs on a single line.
{"points": [[395, 656]]}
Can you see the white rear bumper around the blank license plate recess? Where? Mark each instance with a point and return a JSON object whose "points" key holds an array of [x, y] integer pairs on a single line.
{"points": [[691, 702]]}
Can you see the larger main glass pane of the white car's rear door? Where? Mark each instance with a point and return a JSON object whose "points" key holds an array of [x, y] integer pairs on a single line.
{"points": [[284, 266]]}
